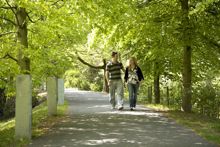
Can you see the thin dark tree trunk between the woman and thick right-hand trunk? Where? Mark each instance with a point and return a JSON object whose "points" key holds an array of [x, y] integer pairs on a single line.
{"points": [[157, 84]]}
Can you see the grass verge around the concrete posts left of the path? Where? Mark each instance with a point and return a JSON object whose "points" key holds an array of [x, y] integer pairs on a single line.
{"points": [[41, 122]]}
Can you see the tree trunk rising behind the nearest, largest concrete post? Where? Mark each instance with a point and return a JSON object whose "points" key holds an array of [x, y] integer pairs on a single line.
{"points": [[23, 61]]}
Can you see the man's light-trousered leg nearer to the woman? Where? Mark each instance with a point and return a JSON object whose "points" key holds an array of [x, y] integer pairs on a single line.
{"points": [[120, 94]]}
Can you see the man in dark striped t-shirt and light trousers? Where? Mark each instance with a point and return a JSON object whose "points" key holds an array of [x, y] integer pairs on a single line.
{"points": [[113, 76]]}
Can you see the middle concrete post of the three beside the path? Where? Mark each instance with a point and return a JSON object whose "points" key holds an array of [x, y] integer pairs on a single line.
{"points": [[52, 95]]}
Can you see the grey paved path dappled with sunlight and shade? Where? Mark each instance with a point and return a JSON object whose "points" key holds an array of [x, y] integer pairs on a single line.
{"points": [[91, 122]]}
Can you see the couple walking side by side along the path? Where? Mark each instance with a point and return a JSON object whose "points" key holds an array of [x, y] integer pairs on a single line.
{"points": [[133, 77]]}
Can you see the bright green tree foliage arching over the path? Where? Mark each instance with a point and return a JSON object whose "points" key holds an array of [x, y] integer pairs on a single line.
{"points": [[152, 31]]}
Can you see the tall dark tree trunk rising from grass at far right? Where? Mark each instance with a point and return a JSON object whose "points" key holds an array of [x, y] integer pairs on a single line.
{"points": [[187, 53]]}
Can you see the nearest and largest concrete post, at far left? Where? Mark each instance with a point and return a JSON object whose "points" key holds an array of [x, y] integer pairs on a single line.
{"points": [[23, 108]]}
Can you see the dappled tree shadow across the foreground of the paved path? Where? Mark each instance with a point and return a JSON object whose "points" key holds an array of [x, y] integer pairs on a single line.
{"points": [[120, 130]]}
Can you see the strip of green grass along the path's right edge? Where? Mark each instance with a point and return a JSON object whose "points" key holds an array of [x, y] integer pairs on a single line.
{"points": [[206, 127]]}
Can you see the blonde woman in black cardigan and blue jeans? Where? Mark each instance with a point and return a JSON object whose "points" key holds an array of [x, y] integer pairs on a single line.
{"points": [[133, 78]]}
